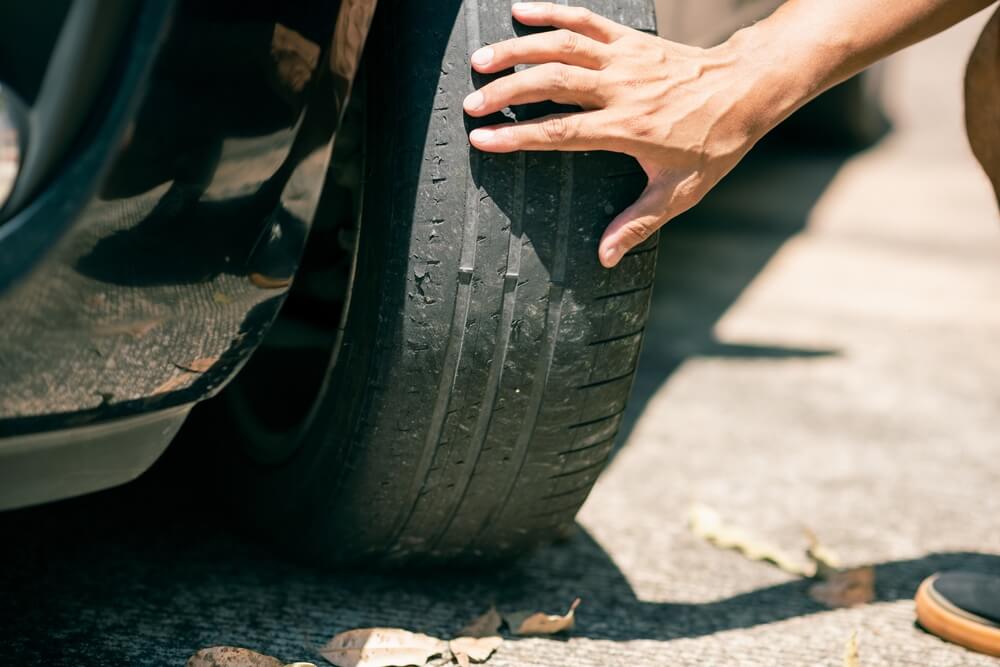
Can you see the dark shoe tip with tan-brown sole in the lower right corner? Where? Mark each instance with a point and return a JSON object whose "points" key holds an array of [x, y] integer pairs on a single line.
{"points": [[963, 608]]}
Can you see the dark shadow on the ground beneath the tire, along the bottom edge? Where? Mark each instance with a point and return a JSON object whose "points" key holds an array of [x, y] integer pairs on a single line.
{"points": [[143, 575]]}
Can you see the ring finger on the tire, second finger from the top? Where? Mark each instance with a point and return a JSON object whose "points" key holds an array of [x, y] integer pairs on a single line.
{"points": [[564, 46]]}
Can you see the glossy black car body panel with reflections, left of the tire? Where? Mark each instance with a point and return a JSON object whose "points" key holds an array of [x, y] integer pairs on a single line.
{"points": [[143, 264]]}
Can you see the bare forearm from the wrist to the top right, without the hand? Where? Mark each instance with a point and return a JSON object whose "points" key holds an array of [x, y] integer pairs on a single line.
{"points": [[808, 46]]}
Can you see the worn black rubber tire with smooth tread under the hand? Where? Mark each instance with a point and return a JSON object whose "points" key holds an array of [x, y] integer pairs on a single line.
{"points": [[487, 356]]}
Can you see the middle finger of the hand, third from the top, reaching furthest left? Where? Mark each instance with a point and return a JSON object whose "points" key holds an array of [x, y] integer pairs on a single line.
{"points": [[559, 83]]}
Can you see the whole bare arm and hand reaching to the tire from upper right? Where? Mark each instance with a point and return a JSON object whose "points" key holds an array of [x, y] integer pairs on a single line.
{"points": [[688, 115]]}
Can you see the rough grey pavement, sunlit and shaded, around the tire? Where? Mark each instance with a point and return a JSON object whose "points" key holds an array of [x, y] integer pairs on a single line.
{"points": [[822, 353]]}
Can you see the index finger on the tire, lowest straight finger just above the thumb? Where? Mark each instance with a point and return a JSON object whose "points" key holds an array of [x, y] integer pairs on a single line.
{"points": [[564, 132]]}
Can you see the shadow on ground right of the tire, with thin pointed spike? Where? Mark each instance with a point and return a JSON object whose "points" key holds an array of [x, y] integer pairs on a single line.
{"points": [[711, 254]]}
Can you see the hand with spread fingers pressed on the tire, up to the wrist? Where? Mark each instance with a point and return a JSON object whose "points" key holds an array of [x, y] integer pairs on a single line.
{"points": [[683, 112]]}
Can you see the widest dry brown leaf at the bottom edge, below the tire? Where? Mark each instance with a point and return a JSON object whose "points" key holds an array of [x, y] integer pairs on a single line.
{"points": [[381, 647]]}
